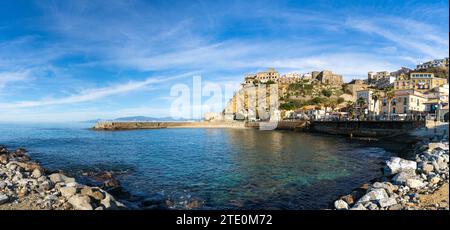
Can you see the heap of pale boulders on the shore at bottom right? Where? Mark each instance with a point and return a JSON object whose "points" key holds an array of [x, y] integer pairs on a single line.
{"points": [[404, 181]]}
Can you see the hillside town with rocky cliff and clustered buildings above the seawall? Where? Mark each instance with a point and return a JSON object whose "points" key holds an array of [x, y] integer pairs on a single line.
{"points": [[405, 94]]}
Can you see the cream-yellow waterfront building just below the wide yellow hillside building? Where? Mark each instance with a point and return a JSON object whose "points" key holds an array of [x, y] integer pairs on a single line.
{"points": [[405, 102]]}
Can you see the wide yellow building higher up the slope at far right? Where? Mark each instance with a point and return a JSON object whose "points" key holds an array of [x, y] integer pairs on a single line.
{"points": [[418, 81]]}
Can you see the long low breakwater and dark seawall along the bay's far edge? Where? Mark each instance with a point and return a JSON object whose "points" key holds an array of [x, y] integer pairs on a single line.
{"points": [[353, 128]]}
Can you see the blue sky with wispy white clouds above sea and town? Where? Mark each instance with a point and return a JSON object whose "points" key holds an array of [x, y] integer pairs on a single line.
{"points": [[79, 60]]}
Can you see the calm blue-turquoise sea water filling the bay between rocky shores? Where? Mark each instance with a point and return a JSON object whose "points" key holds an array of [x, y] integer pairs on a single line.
{"points": [[227, 168]]}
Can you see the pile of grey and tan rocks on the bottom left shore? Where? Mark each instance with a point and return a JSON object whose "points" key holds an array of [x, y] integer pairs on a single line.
{"points": [[22, 178]]}
